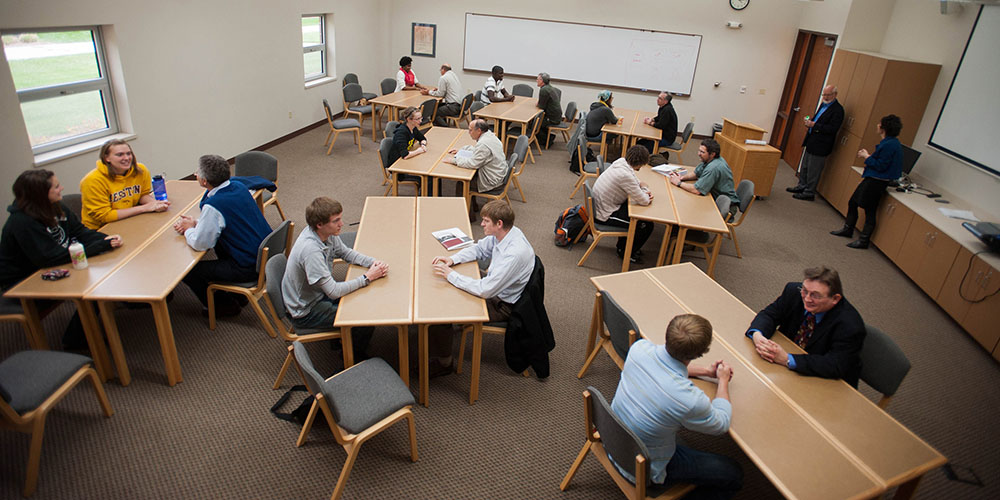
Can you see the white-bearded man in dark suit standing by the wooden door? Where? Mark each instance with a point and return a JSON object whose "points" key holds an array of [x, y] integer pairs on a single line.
{"points": [[819, 142]]}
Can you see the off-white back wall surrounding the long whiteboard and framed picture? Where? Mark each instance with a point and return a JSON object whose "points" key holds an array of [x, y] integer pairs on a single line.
{"points": [[756, 56]]}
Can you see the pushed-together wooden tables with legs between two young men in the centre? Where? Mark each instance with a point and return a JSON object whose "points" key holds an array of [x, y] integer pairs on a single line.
{"points": [[411, 293]]}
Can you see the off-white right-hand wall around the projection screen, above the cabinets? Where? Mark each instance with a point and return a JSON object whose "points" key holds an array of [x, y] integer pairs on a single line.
{"points": [[918, 31]]}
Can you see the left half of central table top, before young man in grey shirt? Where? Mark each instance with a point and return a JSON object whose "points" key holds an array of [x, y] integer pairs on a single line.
{"points": [[386, 233]]}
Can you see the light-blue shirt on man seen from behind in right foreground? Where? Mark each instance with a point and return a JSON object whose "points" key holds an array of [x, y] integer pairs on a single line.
{"points": [[655, 399]]}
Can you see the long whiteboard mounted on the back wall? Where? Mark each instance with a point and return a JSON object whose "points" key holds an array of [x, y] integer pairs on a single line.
{"points": [[601, 55]]}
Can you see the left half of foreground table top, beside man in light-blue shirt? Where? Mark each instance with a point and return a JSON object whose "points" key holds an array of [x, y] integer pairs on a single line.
{"points": [[759, 411]]}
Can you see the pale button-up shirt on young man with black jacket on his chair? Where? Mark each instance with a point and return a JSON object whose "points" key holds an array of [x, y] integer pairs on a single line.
{"points": [[511, 262]]}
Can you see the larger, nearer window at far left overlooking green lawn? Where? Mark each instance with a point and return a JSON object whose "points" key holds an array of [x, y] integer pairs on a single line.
{"points": [[62, 84]]}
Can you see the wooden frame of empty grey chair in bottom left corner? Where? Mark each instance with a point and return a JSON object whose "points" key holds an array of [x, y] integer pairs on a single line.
{"points": [[33, 422]]}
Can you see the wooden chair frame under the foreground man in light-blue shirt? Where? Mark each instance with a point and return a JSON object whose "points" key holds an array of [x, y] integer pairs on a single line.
{"points": [[593, 444]]}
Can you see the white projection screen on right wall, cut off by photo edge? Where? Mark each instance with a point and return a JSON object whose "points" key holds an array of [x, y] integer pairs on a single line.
{"points": [[966, 126]]}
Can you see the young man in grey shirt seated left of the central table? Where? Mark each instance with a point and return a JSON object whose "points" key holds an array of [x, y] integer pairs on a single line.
{"points": [[310, 292]]}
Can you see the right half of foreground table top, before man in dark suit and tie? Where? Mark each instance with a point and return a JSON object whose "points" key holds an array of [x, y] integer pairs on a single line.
{"points": [[883, 445]]}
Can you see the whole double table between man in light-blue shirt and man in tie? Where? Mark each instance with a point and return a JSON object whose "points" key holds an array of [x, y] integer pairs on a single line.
{"points": [[844, 446]]}
